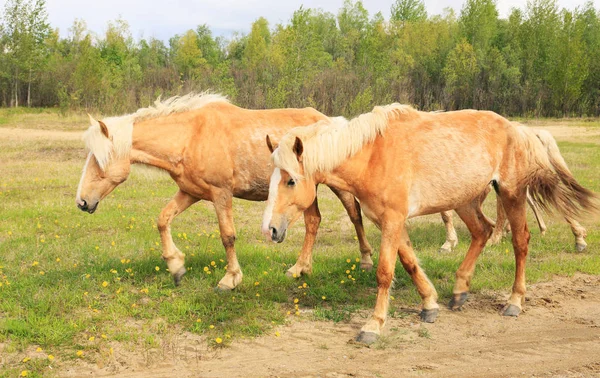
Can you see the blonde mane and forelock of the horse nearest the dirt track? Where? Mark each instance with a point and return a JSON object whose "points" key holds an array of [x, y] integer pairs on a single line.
{"points": [[328, 143]]}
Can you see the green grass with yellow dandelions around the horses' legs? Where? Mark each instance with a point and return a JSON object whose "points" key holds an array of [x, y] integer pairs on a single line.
{"points": [[79, 286]]}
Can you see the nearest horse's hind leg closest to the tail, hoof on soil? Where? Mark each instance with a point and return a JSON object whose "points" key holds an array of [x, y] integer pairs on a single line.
{"points": [[516, 211]]}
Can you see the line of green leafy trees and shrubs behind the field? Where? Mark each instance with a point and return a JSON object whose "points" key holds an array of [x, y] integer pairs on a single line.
{"points": [[539, 61]]}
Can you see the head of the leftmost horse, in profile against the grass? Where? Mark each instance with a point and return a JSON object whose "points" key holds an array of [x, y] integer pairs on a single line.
{"points": [[104, 168]]}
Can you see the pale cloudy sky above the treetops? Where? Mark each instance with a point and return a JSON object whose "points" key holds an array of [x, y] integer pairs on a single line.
{"points": [[165, 18]]}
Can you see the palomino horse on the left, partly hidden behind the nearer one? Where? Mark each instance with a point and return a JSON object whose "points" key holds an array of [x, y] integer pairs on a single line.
{"points": [[214, 151]]}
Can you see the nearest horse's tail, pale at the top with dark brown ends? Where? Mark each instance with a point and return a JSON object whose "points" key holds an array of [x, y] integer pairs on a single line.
{"points": [[551, 183]]}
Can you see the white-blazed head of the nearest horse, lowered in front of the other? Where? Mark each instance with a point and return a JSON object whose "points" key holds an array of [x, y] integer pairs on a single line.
{"points": [[290, 193]]}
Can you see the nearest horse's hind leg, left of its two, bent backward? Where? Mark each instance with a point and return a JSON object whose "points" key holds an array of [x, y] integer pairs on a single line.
{"points": [[480, 228]]}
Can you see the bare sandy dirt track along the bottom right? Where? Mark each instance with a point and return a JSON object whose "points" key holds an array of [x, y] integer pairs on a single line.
{"points": [[557, 335]]}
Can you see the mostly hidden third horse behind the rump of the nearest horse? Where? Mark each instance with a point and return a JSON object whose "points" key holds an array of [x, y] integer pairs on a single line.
{"points": [[551, 148]]}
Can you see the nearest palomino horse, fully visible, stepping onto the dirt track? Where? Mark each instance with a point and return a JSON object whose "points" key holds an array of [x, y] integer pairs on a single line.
{"points": [[402, 163]]}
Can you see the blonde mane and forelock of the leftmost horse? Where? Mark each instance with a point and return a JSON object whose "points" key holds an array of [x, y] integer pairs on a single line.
{"points": [[120, 128]]}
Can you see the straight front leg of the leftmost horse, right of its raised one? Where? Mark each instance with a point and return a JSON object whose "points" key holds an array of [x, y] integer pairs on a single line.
{"points": [[223, 206]]}
